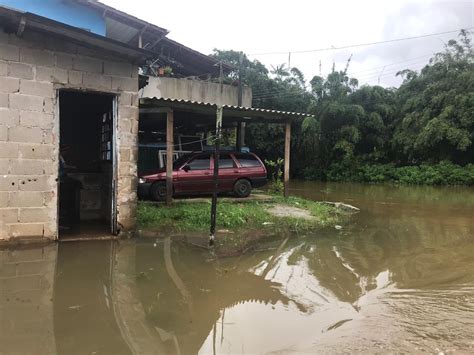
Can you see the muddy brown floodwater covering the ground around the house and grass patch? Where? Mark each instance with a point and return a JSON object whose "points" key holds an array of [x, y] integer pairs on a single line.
{"points": [[397, 277]]}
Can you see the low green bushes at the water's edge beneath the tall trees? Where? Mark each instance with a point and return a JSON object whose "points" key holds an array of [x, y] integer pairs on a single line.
{"points": [[443, 173]]}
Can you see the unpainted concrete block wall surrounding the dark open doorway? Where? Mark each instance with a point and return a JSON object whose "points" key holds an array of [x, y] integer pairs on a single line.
{"points": [[32, 69]]}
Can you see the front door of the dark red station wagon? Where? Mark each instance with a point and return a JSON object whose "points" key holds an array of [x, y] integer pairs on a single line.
{"points": [[195, 176]]}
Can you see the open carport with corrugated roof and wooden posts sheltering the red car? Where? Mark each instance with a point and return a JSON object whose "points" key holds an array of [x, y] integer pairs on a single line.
{"points": [[163, 113]]}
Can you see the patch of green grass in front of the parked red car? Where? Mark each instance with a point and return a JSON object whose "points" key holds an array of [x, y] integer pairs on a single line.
{"points": [[234, 216]]}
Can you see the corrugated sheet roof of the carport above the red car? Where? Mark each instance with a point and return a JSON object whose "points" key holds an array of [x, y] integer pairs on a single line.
{"points": [[149, 105]]}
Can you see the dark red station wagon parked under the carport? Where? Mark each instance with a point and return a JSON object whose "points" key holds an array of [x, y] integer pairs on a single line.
{"points": [[194, 174]]}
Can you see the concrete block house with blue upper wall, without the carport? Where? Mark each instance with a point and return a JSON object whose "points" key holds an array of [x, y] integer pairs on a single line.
{"points": [[69, 82]]}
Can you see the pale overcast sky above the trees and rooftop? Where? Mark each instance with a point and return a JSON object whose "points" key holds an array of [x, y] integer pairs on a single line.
{"points": [[262, 26]]}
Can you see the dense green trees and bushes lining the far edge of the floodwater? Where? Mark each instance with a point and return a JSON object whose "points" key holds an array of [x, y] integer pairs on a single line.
{"points": [[419, 133]]}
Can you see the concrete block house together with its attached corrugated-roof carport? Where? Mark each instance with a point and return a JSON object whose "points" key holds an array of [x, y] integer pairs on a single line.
{"points": [[82, 93]]}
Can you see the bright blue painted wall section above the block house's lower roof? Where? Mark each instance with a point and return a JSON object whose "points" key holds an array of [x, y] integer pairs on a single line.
{"points": [[64, 11]]}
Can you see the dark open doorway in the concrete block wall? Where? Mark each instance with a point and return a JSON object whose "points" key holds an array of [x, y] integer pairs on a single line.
{"points": [[87, 161]]}
